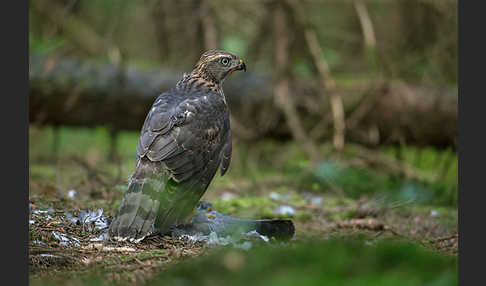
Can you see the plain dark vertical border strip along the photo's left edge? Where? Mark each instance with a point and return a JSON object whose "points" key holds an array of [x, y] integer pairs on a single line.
{"points": [[14, 134]]}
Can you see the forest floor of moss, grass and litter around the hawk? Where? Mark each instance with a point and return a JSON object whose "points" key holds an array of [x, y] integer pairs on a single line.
{"points": [[328, 203]]}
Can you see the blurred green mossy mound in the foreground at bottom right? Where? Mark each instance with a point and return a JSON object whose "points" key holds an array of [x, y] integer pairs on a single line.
{"points": [[327, 263]]}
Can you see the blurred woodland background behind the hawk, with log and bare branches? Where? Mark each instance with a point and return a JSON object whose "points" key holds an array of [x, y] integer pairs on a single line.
{"points": [[348, 109]]}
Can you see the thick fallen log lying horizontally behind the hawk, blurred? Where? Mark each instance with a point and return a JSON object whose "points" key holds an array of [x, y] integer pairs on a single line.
{"points": [[66, 91]]}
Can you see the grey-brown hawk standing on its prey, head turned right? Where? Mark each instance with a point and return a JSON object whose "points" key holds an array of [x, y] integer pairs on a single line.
{"points": [[184, 140]]}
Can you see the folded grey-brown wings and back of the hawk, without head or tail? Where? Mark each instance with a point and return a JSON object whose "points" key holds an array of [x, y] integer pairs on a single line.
{"points": [[187, 136]]}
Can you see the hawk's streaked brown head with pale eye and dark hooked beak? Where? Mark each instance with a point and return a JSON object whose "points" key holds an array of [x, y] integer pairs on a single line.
{"points": [[216, 65]]}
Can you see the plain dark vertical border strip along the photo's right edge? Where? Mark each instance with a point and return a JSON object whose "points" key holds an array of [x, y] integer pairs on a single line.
{"points": [[471, 172]]}
